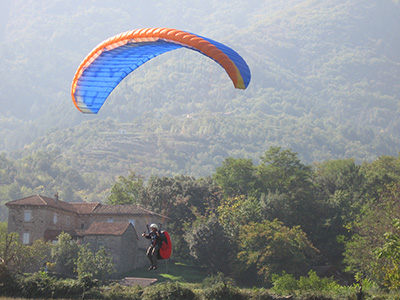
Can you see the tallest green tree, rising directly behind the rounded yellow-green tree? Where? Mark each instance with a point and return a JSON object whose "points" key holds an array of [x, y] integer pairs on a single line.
{"points": [[287, 191]]}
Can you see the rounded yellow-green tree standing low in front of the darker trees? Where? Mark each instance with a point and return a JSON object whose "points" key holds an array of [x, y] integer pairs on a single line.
{"points": [[271, 248]]}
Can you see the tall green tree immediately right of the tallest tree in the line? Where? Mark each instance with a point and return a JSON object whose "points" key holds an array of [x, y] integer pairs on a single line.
{"points": [[340, 186]]}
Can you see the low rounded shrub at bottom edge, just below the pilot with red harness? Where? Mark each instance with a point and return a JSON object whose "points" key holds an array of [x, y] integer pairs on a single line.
{"points": [[167, 290]]}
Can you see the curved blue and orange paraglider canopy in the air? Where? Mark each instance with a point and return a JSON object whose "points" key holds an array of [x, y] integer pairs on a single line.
{"points": [[111, 61]]}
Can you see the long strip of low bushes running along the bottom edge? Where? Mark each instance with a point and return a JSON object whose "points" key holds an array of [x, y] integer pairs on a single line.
{"points": [[311, 287]]}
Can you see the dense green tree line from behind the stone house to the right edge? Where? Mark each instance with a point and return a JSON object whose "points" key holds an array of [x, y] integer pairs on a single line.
{"points": [[251, 221]]}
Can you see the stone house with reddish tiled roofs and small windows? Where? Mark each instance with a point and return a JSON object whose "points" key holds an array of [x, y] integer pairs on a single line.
{"points": [[117, 228]]}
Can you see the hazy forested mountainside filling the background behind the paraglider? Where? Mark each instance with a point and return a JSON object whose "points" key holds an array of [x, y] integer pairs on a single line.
{"points": [[325, 83]]}
